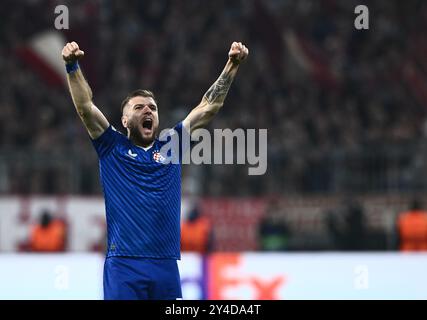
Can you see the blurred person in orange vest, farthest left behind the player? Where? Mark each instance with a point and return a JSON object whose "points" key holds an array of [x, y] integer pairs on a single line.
{"points": [[48, 235]]}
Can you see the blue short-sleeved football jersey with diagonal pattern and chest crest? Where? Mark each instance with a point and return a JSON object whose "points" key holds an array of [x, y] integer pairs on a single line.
{"points": [[142, 197]]}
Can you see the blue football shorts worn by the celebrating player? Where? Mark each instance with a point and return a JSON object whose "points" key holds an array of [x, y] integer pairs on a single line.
{"points": [[135, 278]]}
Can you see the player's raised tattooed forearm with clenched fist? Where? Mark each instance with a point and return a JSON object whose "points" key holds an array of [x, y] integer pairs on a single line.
{"points": [[214, 98]]}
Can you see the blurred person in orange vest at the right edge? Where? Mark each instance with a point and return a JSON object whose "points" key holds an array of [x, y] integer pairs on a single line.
{"points": [[412, 228]]}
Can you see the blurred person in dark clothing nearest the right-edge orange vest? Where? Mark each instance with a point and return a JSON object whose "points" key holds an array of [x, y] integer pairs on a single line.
{"points": [[348, 228]]}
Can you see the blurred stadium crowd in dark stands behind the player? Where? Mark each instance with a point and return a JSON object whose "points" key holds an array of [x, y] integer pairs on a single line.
{"points": [[328, 94]]}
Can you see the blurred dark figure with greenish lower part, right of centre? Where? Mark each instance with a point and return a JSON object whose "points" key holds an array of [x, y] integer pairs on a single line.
{"points": [[273, 232]]}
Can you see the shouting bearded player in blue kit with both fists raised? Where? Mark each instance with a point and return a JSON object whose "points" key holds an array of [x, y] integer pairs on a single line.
{"points": [[142, 194]]}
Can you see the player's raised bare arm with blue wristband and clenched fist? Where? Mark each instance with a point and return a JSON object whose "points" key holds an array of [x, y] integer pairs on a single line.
{"points": [[93, 119]]}
